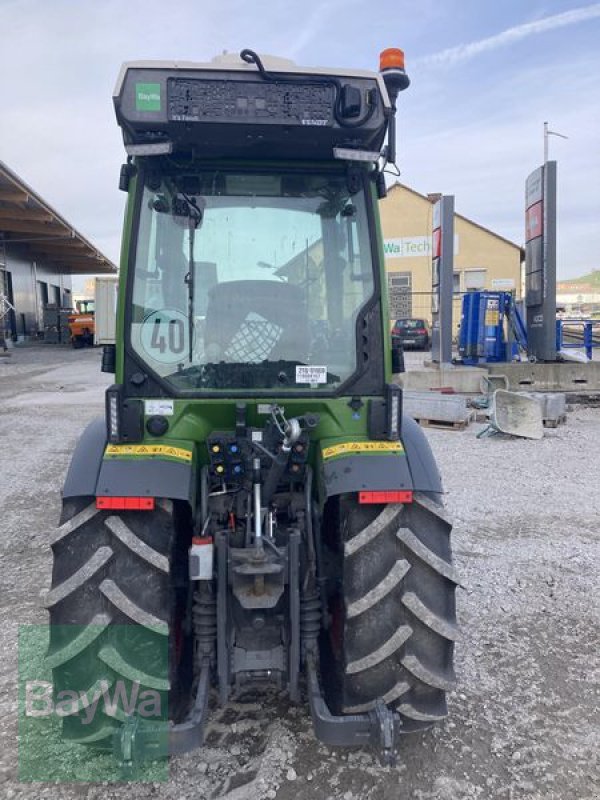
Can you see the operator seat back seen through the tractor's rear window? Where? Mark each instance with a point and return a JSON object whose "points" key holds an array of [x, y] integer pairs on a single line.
{"points": [[252, 321]]}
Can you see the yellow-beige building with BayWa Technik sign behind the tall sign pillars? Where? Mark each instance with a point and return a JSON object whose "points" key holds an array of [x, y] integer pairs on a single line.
{"points": [[482, 258]]}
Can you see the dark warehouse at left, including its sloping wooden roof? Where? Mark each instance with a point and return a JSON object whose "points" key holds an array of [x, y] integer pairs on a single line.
{"points": [[39, 252]]}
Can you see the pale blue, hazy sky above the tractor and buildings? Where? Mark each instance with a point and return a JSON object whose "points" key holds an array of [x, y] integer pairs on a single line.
{"points": [[485, 75]]}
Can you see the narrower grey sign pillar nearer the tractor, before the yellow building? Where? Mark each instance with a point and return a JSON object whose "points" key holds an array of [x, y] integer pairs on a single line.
{"points": [[442, 269]]}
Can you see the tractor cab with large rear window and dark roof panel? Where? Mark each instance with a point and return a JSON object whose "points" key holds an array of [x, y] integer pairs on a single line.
{"points": [[254, 260]]}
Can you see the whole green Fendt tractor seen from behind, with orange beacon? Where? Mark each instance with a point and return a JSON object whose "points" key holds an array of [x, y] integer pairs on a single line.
{"points": [[253, 509]]}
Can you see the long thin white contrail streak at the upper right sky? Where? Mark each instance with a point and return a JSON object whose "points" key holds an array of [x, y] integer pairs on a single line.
{"points": [[465, 52]]}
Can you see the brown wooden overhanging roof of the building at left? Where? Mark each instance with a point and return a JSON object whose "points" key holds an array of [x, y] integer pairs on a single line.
{"points": [[25, 218]]}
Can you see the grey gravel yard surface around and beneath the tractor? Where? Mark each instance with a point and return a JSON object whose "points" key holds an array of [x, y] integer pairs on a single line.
{"points": [[524, 721]]}
